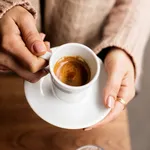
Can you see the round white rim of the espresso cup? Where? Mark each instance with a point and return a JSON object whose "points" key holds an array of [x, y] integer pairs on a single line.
{"points": [[69, 86]]}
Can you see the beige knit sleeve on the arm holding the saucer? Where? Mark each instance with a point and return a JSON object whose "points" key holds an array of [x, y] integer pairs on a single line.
{"points": [[127, 27]]}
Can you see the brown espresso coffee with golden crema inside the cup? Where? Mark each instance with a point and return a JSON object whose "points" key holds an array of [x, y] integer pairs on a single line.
{"points": [[72, 70]]}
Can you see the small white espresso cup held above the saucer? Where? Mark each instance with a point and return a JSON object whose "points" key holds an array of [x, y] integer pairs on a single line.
{"points": [[66, 92]]}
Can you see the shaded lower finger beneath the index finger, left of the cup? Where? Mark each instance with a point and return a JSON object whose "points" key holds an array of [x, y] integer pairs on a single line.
{"points": [[22, 72]]}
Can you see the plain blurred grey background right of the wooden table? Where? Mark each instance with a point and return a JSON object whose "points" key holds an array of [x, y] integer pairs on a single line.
{"points": [[139, 109]]}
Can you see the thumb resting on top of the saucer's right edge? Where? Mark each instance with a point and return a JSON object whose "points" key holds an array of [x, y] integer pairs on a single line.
{"points": [[112, 87]]}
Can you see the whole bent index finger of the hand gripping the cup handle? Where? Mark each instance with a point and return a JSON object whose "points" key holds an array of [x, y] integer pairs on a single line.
{"points": [[13, 44]]}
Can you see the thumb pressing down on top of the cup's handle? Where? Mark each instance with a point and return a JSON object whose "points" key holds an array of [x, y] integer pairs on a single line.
{"points": [[31, 36]]}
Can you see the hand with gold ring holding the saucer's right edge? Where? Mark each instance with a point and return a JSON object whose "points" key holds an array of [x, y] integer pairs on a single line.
{"points": [[120, 83]]}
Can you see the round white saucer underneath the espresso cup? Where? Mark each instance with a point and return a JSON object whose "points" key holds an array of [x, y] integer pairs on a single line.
{"points": [[88, 112]]}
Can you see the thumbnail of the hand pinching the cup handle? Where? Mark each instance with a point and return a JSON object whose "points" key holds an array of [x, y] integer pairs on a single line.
{"points": [[39, 47]]}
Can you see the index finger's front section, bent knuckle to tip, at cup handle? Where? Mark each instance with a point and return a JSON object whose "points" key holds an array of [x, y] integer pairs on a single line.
{"points": [[20, 51]]}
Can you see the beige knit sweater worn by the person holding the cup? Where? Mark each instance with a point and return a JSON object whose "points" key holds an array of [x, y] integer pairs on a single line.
{"points": [[96, 23]]}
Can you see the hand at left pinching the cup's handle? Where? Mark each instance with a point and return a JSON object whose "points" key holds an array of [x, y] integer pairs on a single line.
{"points": [[21, 44]]}
